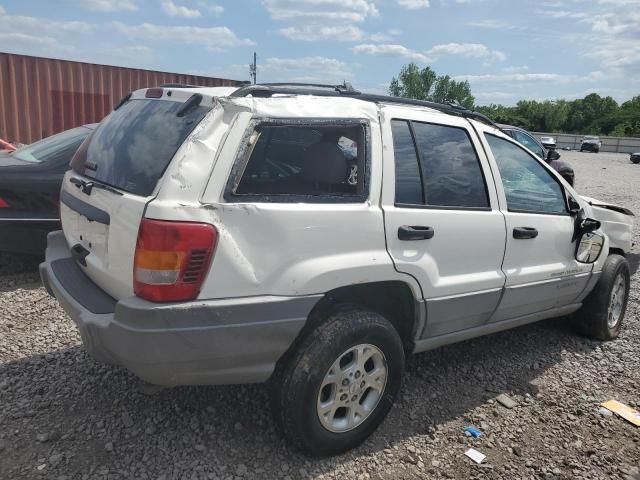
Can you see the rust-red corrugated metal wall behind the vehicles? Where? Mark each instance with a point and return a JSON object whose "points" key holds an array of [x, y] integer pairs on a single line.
{"points": [[43, 96]]}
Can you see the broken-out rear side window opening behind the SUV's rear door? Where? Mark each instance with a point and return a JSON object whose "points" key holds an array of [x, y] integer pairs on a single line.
{"points": [[285, 162]]}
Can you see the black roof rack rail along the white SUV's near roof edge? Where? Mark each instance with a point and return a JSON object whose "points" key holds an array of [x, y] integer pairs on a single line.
{"points": [[266, 90]]}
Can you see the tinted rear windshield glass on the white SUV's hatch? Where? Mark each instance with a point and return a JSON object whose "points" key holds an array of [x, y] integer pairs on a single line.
{"points": [[132, 147]]}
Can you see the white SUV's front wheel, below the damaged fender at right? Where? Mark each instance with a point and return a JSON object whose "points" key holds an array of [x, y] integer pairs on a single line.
{"points": [[602, 312]]}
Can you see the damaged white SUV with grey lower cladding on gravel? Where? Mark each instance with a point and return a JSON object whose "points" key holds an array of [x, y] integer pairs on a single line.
{"points": [[313, 238]]}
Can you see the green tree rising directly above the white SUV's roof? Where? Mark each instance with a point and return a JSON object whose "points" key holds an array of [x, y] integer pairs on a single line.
{"points": [[425, 84]]}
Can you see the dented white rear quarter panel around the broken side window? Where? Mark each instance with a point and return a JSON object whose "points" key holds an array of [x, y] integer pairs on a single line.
{"points": [[269, 248]]}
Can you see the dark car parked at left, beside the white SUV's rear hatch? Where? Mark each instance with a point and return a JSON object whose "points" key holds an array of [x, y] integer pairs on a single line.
{"points": [[30, 179]]}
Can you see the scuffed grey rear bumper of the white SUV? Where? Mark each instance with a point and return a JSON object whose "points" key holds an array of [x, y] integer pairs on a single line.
{"points": [[200, 342]]}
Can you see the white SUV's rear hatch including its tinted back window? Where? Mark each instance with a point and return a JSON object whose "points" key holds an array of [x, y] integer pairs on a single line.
{"points": [[115, 174]]}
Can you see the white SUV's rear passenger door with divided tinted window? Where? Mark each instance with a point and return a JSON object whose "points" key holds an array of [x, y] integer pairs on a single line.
{"points": [[443, 224]]}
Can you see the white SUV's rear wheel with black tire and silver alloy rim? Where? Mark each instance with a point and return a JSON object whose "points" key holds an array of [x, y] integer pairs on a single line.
{"points": [[336, 388]]}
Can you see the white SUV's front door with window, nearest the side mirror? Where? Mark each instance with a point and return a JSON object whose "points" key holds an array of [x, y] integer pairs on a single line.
{"points": [[539, 261]]}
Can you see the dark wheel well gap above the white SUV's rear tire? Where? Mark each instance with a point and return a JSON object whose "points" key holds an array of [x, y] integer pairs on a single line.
{"points": [[393, 299]]}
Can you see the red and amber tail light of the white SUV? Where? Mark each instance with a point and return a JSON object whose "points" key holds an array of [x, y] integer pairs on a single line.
{"points": [[172, 259]]}
